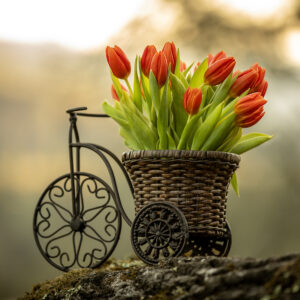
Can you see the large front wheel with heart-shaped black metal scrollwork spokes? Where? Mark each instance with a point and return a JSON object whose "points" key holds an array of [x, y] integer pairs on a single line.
{"points": [[83, 234]]}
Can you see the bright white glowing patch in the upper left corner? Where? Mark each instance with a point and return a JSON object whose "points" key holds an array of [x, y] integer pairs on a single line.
{"points": [[78, 24]]}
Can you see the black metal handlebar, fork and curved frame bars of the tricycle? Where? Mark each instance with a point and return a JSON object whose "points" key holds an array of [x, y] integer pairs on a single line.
{"points": [[75, 168]]}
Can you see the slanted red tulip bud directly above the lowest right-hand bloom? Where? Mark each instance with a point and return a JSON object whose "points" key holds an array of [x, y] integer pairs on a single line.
{"points": [[244, 81]]}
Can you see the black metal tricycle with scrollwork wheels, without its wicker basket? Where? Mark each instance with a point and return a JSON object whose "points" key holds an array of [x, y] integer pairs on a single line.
{"points": [[78, 218]]}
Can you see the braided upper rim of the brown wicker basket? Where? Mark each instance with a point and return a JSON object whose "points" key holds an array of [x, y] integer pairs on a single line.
{"points": [[181, 154]]}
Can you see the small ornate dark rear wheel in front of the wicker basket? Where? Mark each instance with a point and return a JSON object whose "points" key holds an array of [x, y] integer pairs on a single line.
{"points": [[159, 231]]}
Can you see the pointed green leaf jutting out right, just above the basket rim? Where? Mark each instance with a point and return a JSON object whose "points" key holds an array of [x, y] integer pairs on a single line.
{"points": [[250, 141]]}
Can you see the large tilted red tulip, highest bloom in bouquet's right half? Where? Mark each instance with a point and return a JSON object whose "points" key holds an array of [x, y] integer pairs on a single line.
{"points": [[219, 67]]}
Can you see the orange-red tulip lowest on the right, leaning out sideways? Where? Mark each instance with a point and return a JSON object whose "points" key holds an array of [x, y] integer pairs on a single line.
{"points": [[249, 110]]}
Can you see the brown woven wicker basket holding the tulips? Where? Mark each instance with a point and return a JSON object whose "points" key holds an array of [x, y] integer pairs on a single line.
{"points": [[195, 181]]}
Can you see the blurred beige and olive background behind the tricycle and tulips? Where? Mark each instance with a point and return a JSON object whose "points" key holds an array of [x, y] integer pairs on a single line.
{"points": [[52, 57]]}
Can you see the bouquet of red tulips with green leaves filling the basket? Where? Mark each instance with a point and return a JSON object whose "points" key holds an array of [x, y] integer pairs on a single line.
{"points": [[172, 106]]}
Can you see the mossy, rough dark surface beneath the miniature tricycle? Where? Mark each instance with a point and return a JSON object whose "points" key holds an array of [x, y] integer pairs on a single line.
{"points": [[207, 278]]}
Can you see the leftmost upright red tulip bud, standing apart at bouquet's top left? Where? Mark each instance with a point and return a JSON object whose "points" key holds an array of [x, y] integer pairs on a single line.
{"points": [[118, 62]]}
